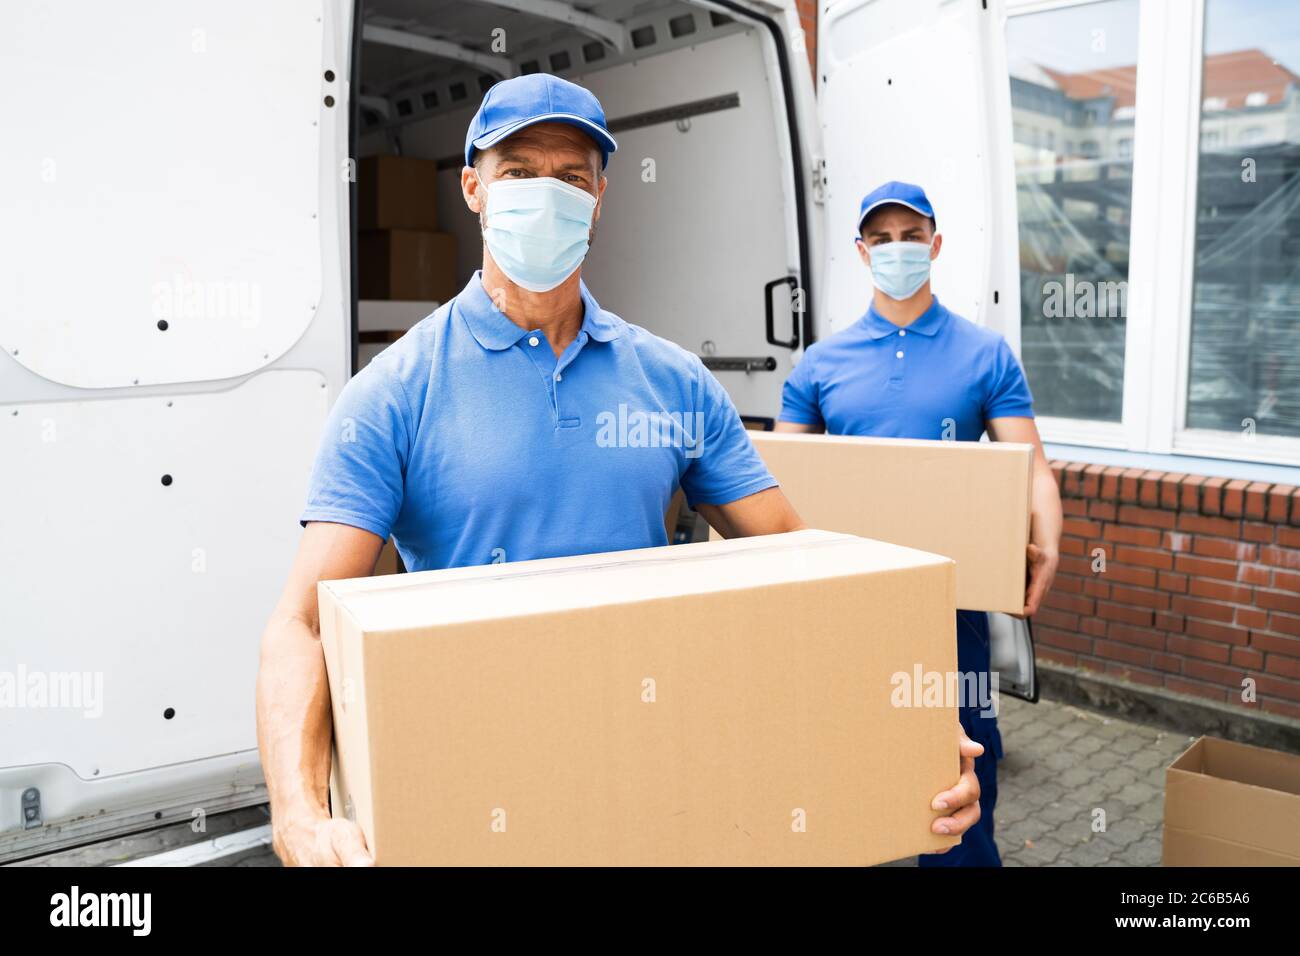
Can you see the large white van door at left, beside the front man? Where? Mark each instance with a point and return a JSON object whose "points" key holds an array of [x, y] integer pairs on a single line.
{"points": [[175, 325]]}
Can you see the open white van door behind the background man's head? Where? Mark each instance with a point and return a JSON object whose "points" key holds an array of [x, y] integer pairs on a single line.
{"points": [[917, 90]]}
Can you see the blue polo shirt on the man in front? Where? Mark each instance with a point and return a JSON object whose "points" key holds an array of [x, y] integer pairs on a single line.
{"points": [[470, 443]]}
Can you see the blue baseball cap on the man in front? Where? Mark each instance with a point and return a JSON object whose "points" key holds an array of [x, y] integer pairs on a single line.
{"points": [[513, 105]]}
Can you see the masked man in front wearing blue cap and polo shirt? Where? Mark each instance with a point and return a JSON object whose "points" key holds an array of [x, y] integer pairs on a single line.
{"points": [[487, 434]]}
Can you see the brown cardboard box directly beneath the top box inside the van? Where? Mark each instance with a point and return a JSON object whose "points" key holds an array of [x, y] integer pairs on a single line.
{"points": [[406, 265]]}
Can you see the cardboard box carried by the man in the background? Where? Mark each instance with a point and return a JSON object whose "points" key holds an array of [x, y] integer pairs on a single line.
{"points": [[969, 501]]}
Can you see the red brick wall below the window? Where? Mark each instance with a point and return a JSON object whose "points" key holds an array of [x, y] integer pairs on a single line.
{"points": [[1181, 582]]}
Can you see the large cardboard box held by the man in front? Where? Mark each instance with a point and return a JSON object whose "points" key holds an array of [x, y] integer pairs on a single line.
{"points": [[717, 703]]}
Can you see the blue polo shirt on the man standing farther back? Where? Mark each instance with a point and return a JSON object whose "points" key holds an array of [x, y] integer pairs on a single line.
{"points": [[939, 378]]}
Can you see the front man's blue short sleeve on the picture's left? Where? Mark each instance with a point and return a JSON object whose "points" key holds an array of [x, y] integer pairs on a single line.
{"points": [[358, 477]]}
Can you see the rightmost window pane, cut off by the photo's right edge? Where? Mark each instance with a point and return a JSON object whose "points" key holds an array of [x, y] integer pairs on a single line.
{"points": [[1245, 362]]}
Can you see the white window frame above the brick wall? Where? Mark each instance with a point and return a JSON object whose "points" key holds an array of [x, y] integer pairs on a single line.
{"points": [[1163, 246]]}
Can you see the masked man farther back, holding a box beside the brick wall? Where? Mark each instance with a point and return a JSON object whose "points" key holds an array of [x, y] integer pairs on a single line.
{"points": [[911, 369]]}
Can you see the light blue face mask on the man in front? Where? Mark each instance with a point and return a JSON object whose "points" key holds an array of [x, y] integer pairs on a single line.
{"points": [[539, 231]]}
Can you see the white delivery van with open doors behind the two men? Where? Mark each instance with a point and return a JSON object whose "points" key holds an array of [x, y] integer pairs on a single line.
{"points": [[177, 312]]}
